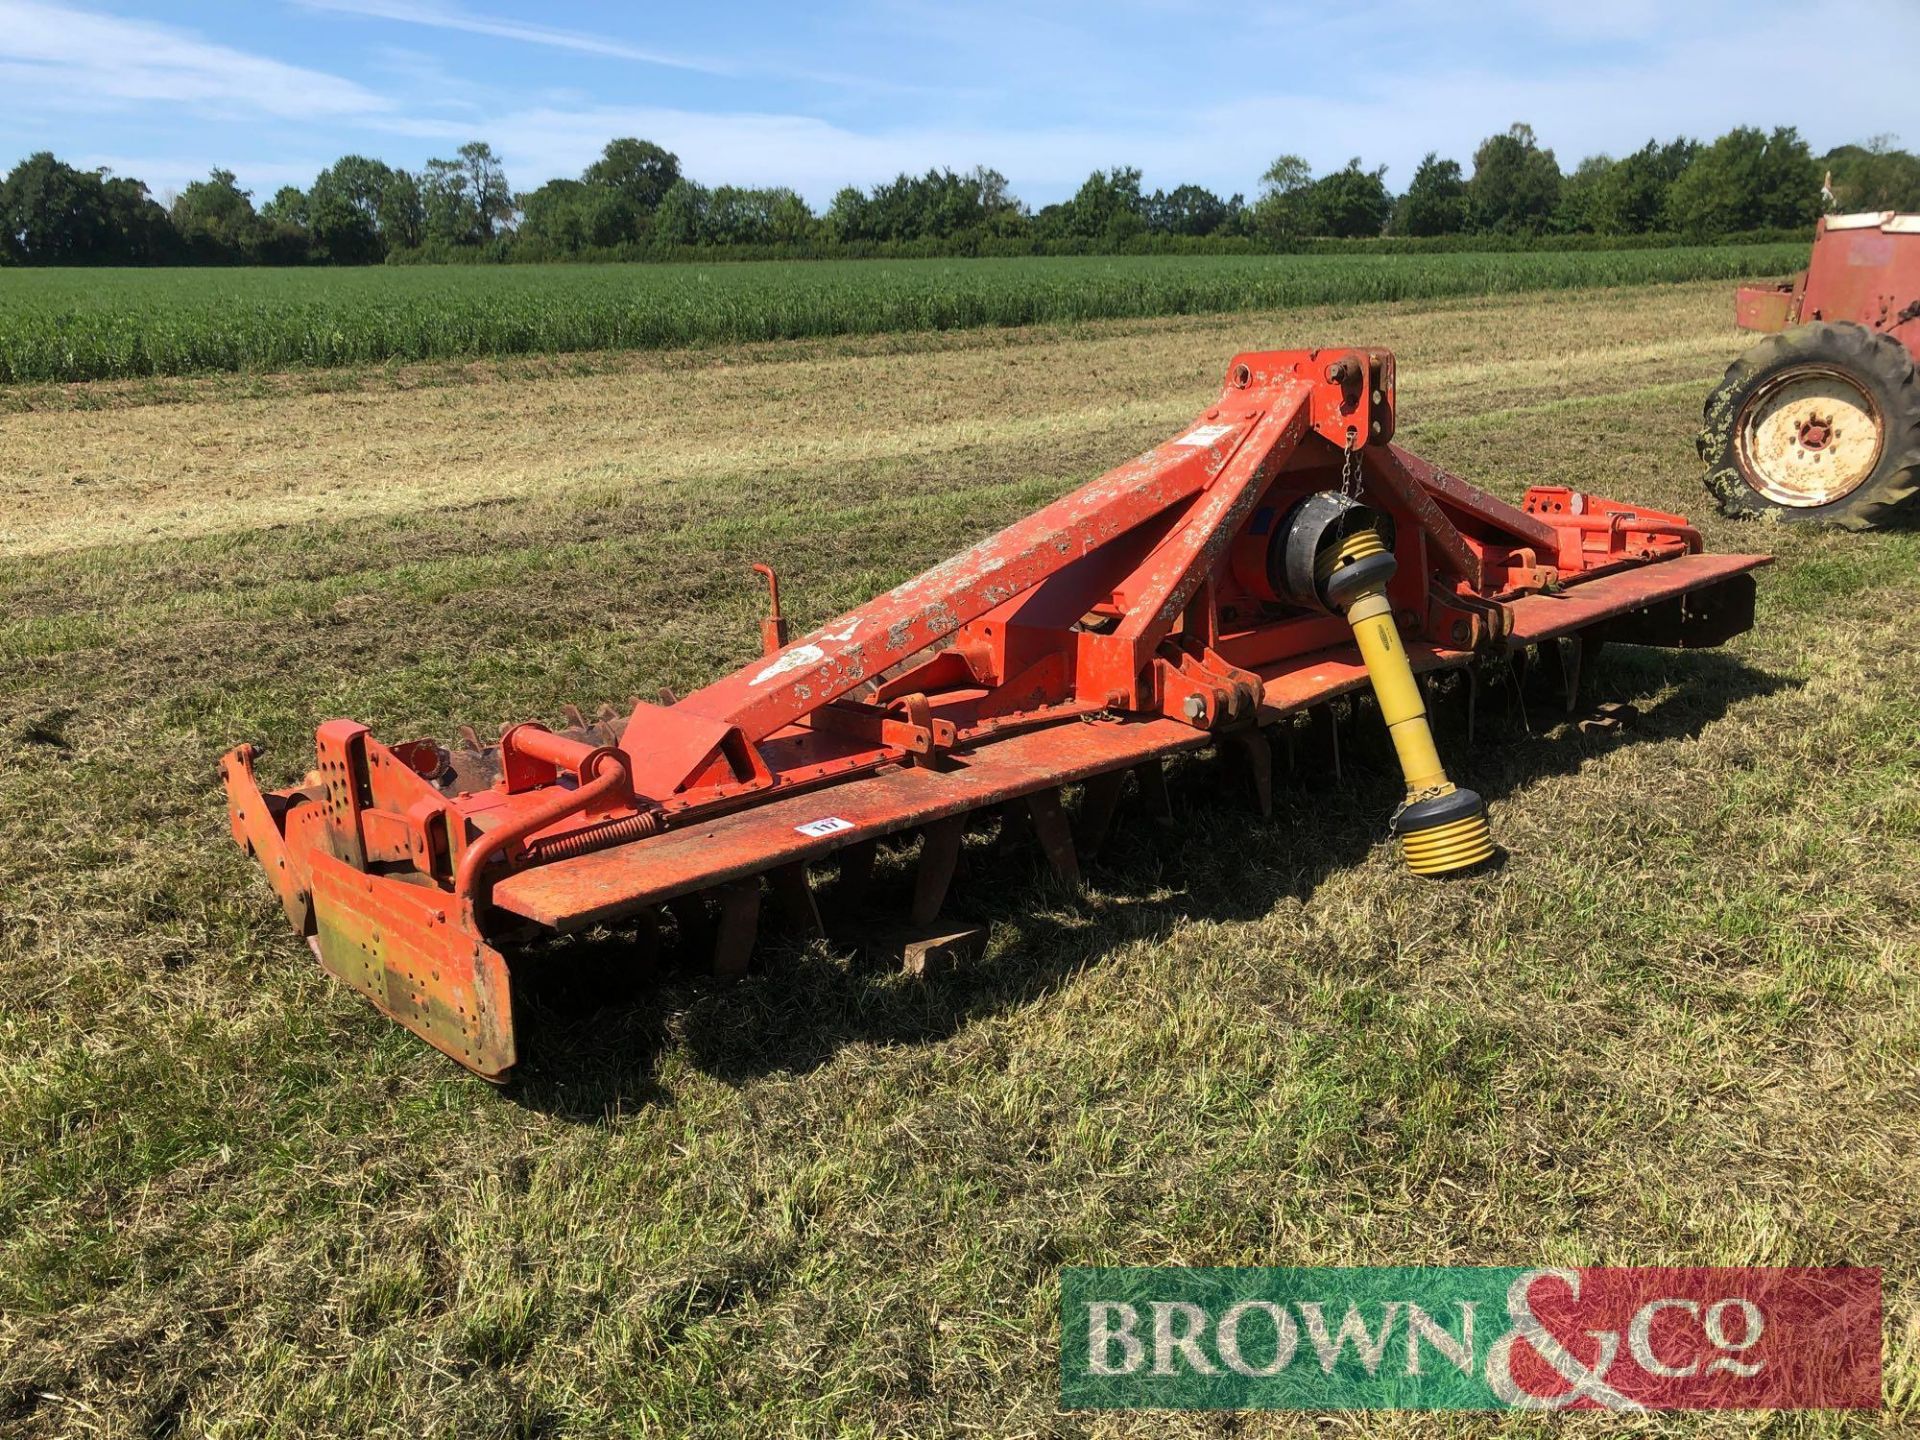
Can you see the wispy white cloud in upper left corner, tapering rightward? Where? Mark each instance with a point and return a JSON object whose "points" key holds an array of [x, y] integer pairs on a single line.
{"points": [[59, 59]]}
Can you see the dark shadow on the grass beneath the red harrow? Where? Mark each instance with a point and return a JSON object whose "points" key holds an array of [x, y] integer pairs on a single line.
{"points": [[596, 1017]]}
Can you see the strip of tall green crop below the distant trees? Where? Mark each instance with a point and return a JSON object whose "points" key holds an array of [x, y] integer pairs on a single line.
{"points": [[97, 325]]}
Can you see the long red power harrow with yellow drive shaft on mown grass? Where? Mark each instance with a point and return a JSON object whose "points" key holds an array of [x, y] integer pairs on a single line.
{"points": [[1274, 556]]}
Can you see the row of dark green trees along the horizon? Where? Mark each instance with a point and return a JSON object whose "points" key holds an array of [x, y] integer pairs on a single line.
{"points": [[635, 203]]}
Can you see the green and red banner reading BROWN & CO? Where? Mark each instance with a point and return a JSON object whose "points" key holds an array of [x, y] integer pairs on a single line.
{"points": [[1625, 1339]]}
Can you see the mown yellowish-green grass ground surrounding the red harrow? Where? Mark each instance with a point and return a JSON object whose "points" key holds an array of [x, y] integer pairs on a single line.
{"points": [[1679, 1026]]}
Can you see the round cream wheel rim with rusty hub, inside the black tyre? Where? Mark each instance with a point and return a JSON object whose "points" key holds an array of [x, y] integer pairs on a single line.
{"points": [[1810, 437]]}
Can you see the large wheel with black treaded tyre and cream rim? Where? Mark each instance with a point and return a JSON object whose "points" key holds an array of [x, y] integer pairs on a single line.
{"points": [[1819, 423]]}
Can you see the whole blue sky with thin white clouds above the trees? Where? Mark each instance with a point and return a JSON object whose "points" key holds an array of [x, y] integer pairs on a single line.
{"points": [[853, 91]]}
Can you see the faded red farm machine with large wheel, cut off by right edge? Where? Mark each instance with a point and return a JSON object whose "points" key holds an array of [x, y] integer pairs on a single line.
{"points": [[1821, 421]]}
